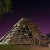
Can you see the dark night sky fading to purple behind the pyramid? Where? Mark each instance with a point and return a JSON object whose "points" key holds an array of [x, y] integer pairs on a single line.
{"points": [[38, 11]]}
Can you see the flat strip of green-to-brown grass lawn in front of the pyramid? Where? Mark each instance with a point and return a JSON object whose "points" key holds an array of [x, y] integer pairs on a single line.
{"points": [[22, 47]]}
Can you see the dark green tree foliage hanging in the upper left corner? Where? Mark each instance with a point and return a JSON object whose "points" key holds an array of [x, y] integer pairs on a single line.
{"points": [[5, 6]]}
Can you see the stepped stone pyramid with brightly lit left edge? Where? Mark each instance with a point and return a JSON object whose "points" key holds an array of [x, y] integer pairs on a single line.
{"points": [[25, 32]]}
